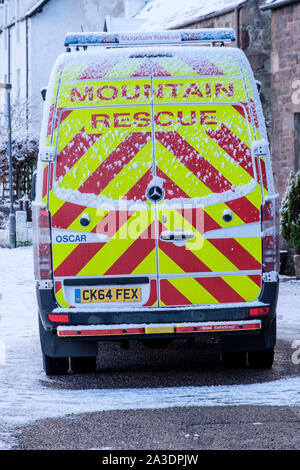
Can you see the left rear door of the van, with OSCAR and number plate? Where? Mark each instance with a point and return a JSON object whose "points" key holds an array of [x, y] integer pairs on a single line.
{"points": [[103, 228]]}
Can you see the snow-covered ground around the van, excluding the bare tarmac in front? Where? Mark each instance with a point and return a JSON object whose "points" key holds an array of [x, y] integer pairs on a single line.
{"points": [[25, 398]]}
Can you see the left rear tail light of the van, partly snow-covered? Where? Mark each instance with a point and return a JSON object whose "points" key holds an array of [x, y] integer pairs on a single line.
{"points": [[41, 243]]}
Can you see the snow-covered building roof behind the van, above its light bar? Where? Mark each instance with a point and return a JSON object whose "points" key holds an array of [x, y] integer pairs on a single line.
{"points": [[166, 14]]}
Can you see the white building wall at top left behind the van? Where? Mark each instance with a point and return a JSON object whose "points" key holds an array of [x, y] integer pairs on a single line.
{"points": [[46, 31]]}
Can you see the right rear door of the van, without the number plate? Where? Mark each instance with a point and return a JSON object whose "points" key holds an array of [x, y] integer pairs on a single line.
{"points": [[209, 222]]}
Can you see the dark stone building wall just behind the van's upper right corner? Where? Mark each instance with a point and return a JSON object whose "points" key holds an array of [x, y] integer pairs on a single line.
{"points": [[255, 40]]}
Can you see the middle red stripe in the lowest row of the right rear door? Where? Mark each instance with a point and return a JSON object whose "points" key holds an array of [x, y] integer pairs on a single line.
{"points": [[219, 289]]}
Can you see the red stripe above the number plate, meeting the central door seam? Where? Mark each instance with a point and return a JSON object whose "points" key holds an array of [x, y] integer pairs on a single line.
{"points": [[135, 254]]}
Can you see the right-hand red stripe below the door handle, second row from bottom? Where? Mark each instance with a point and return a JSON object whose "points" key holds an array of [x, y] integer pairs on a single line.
{"points": [[235, 253]]}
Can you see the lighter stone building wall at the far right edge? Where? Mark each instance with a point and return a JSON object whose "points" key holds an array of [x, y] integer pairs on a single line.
{"points": [[285, 82]]}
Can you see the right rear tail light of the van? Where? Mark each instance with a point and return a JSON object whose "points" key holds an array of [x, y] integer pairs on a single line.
{"points": [[270, 234]]}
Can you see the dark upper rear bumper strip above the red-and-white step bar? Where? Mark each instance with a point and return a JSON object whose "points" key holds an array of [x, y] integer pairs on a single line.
{"points": [[50, 311]]}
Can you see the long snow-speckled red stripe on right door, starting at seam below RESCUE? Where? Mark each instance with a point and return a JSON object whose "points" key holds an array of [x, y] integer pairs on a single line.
{"points": [[189, 157]]}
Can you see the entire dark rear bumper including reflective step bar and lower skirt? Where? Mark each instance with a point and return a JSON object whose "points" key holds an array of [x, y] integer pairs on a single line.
{"points": [[237, 331]]}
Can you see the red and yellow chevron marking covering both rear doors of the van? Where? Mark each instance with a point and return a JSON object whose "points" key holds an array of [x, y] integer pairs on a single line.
{"points": [[201, 147]]}
